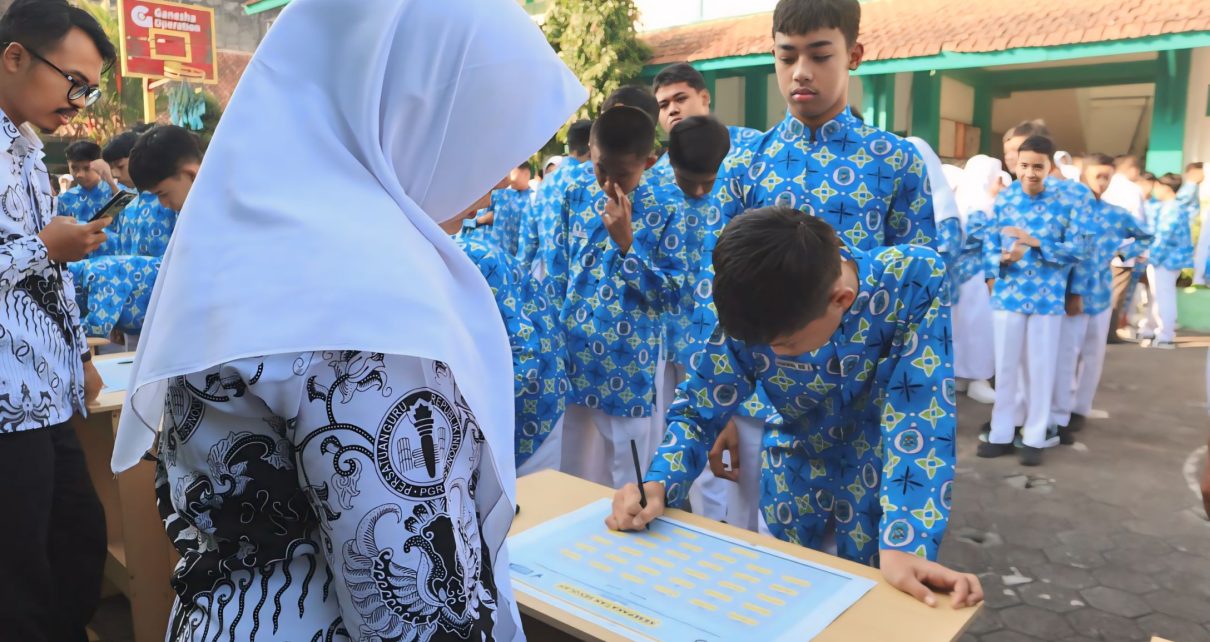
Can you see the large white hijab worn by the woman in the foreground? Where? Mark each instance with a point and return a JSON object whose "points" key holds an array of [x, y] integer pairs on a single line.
{"points": [[388, 118]]}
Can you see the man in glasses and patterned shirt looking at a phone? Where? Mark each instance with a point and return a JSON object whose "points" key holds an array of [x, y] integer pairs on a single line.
{"points": [[53, 543]]}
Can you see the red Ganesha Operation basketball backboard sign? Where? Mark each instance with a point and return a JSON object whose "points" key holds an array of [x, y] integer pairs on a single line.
{"points": [[168, 41]]}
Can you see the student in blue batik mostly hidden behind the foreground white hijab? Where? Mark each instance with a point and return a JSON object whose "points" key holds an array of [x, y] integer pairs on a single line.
{"points": [[540, 379]]}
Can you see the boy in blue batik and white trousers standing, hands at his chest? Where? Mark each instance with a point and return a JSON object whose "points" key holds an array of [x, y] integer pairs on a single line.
{"points": [[1036, 239]]}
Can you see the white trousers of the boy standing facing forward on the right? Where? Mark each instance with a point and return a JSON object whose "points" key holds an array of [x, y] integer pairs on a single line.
{"points": [[1025, 344]]}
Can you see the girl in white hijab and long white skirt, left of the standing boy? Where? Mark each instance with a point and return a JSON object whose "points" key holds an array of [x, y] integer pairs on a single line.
{"points": [[973, 357]]}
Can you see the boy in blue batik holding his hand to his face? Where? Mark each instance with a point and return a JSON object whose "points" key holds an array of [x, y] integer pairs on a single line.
{"points": [[614, 277]]}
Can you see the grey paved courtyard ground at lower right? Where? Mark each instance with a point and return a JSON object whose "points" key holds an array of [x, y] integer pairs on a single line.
{"points": [[1107, 541]]}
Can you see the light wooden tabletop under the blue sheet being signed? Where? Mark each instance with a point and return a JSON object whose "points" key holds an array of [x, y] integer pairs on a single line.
{"points": [[884, 614]]}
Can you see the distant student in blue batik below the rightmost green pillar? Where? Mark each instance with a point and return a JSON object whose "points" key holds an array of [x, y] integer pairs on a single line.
{"points": [[1169, 216]]}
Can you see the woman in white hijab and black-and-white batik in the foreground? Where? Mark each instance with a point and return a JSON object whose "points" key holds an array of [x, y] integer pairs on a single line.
{"points": [[337, 458]]}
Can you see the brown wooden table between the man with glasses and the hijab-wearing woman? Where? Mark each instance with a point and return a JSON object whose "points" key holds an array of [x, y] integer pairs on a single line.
{"points": [[141, 558]]}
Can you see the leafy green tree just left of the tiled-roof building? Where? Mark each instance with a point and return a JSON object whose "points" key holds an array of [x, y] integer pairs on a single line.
{"points": [[597, 41]]}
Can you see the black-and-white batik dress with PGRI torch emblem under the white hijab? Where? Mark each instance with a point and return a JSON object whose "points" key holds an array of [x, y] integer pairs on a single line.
{"points": [[325, 496]]}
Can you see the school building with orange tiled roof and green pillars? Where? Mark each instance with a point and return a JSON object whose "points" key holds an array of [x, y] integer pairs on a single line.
{"points": [[1116, 77]]}
